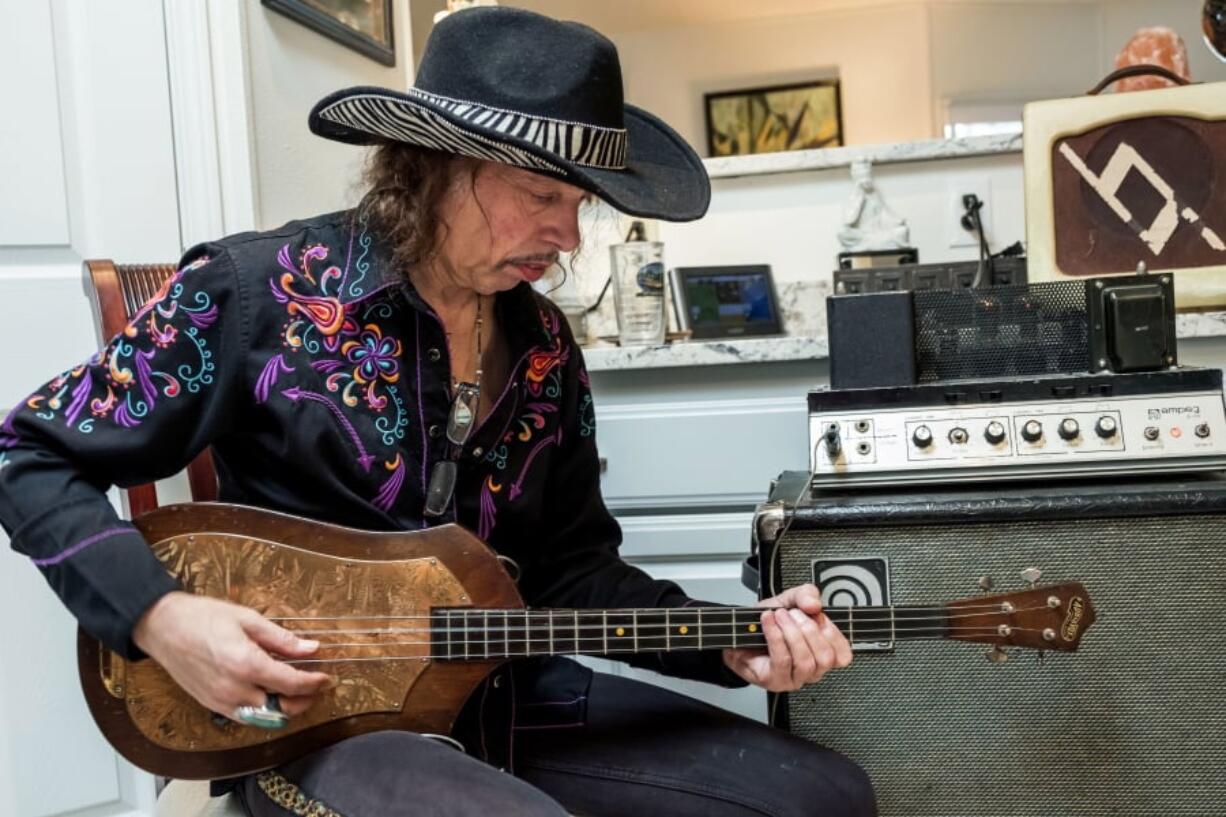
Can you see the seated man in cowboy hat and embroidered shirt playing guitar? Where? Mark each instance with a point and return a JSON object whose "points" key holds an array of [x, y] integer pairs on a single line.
{"points": [[390, 369]]}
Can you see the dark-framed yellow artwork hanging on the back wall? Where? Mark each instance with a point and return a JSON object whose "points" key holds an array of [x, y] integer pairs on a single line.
{"points": [[780, 118]]}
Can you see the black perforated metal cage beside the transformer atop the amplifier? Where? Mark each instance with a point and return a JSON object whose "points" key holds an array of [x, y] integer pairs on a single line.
{"points": [[1002, 332]]}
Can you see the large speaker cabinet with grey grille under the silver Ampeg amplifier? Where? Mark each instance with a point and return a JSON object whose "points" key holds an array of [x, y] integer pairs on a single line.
{"points": [[1131, 726]]}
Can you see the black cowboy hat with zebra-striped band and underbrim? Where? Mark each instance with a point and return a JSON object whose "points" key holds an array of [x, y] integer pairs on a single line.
{"points": [[512, 86]]}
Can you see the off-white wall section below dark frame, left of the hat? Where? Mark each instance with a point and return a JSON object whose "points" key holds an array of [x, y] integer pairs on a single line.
{"points": [[291, 68]]}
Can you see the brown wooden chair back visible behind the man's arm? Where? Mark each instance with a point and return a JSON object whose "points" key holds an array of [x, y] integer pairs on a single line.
{"points": [[120, 291]]}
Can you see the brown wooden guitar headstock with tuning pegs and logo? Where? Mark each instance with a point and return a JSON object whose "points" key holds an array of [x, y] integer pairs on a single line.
{"points": [[1051, 618]]}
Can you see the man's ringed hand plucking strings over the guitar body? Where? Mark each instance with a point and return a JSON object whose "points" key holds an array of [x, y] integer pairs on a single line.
{"points": [[220, 654]]}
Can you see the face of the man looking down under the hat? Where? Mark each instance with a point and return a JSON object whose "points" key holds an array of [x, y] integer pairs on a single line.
{"points": [[504, 225]]}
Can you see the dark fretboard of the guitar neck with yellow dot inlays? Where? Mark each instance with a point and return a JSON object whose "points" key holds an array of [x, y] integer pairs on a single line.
{"points": [[468, 634]]}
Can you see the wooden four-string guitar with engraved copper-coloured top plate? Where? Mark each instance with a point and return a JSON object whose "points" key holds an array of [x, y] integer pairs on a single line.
{"points": [[410, 624]]}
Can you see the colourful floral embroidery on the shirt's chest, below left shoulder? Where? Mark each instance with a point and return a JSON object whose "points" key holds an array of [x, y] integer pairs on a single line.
{"points": [[348, 345]]}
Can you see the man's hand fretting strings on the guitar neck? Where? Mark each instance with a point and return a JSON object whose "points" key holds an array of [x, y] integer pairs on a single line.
{"points": [[802, 643]]}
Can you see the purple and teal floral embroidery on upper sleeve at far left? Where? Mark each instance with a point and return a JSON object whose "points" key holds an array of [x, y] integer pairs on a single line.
{"points": [[123, 382]]}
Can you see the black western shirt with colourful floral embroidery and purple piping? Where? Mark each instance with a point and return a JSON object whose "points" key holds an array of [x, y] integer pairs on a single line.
{"points": [[319, 378]]}
